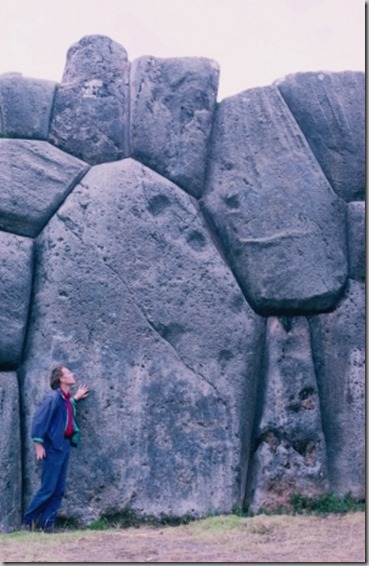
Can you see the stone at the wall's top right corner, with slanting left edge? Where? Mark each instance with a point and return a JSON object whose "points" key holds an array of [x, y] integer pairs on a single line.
{"points": [[330, 110]]}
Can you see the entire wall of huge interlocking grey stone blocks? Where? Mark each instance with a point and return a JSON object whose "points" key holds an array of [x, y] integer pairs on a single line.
{"points": [[199, 264]]}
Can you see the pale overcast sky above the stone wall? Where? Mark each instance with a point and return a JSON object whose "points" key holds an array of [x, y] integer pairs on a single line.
{"points": [[254, 41]]}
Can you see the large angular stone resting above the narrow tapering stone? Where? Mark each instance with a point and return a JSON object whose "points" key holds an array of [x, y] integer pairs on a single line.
{"points": [[281, 225]]}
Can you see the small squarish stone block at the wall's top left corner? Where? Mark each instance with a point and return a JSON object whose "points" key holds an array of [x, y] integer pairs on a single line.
{"points": [[25, 106]]}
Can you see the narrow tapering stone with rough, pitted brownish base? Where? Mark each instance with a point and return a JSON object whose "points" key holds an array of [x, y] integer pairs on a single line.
{"points": [[290, 452]]}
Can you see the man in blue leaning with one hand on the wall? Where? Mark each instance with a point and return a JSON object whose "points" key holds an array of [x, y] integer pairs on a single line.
{"points": [[54, 430]]}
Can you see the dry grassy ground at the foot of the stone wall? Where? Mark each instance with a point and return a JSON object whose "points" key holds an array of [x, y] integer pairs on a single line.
{"points": [[278, 538]]}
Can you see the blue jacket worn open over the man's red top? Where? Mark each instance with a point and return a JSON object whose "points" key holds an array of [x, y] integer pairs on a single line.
{"points": [[50, 421]]}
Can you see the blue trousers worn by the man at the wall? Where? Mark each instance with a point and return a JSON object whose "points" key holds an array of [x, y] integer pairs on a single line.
{"points": [[47, 500]]}
